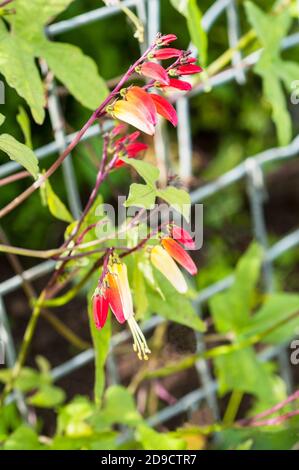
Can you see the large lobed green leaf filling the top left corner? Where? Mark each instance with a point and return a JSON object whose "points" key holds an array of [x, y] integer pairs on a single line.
{"points": [[27, 41]]}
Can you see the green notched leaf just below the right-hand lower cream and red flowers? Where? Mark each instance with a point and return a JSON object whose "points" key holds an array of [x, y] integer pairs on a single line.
{"points": [[176, 307]]}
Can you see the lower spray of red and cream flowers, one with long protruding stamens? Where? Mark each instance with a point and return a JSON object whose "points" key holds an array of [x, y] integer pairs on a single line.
{"points": [[114, 291]]}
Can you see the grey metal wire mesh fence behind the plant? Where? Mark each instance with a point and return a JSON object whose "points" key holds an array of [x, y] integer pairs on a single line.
{"points": [[251, 170]]}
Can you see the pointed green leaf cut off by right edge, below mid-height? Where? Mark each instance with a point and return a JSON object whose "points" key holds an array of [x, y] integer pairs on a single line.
{"points": [[277, 307]]}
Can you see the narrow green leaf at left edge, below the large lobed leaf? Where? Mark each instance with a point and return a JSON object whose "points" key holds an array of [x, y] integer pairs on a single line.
{"points": [[19, 153]]}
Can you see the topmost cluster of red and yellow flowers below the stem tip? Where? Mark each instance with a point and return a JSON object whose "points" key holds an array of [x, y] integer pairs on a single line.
{"points": [[140, 106]]}
